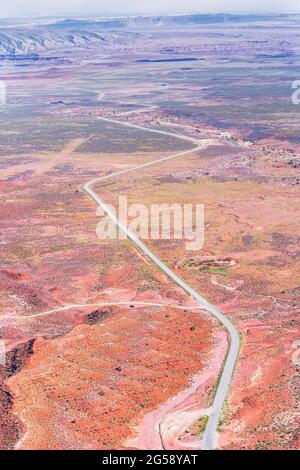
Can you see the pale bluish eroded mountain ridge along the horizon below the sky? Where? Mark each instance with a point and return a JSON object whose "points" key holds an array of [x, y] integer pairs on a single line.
{"points": [[41, 35]]}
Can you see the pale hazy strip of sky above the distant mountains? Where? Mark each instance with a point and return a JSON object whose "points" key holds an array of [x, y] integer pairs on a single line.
{"points": [[10, 8]]}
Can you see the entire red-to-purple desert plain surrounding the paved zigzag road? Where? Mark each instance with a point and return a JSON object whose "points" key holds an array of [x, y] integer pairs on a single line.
{"points": [[82, 372]]}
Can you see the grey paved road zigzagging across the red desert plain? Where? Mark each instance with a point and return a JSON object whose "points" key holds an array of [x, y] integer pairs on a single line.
{"points": [[210, 433]]}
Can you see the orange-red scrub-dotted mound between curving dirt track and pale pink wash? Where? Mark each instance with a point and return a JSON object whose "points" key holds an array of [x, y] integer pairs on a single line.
{"points": [[89, 388]]}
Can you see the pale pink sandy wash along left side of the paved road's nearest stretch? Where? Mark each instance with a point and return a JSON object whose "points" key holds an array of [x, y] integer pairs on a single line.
{"points": [[175, 424]]}
